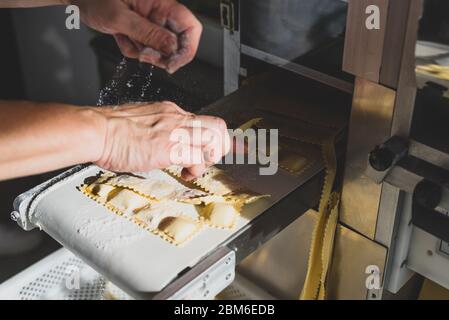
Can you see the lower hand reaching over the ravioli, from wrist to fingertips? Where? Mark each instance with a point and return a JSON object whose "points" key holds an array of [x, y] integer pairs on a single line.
{"points": [[143, 137]]}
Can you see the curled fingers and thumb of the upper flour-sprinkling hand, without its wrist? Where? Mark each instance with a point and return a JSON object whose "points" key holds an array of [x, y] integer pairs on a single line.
{"points": [[169, 47]]}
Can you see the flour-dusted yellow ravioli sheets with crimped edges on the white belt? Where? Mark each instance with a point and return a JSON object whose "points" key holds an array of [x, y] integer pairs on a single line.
{"points": [[168, 208]]}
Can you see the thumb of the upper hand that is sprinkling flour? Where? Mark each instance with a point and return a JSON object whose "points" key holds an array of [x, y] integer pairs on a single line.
{"points": [[142, 30]]}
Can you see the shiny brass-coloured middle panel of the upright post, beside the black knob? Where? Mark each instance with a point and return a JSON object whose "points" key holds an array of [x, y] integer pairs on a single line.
{"points": [[370, 125]]}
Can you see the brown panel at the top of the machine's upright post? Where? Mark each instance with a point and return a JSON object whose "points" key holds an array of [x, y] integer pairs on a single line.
{"points": [[364, 47]]}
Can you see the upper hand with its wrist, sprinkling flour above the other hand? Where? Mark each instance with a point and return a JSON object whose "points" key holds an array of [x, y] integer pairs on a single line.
{"points": [[161, 32]]}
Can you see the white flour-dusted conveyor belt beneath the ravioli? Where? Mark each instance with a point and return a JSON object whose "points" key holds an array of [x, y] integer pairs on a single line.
{"points": [[129, 256]]}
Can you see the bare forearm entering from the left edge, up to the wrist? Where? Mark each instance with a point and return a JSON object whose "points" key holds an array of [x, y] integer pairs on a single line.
{"points": [[36, 138]]}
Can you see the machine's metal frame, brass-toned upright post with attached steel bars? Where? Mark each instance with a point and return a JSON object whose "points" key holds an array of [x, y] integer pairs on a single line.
{"points": [[373, 212]]}
